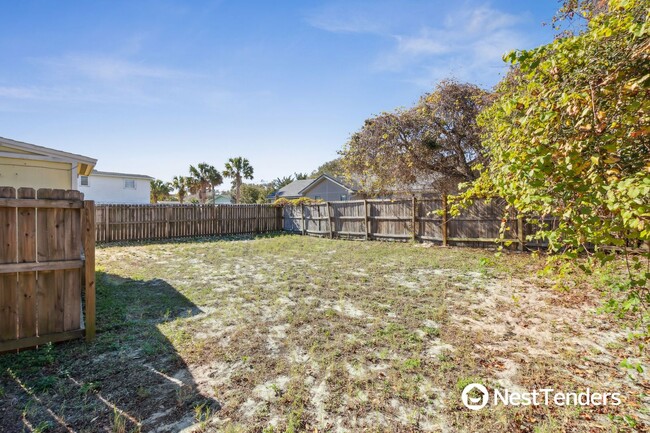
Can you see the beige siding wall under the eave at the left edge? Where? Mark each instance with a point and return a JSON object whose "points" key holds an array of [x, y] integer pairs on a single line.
{"points": [[35, 174]]}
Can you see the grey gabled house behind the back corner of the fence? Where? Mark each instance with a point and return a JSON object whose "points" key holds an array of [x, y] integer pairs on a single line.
{"points": [[324, 187]]}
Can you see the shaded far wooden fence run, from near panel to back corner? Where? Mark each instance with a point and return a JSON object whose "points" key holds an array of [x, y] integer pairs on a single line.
{"points": [[116, 222]]}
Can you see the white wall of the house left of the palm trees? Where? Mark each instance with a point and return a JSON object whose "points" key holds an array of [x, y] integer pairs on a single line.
{"points": [[105, 189]]}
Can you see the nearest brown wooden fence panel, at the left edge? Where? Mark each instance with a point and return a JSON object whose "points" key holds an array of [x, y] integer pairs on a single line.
{"points": [[47, 254]]}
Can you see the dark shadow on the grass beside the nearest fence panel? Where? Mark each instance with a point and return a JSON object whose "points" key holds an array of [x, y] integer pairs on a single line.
{"points": [[129, 379]]}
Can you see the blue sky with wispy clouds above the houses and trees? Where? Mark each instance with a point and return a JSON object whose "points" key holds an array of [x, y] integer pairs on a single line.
{"points": [[150, 86]]}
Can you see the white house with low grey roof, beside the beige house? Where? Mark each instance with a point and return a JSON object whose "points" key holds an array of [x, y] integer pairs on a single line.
{"points": [[118, 188]]}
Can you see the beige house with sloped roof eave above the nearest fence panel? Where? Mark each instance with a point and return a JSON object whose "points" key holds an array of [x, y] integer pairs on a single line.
{"points": [[29, 165]]}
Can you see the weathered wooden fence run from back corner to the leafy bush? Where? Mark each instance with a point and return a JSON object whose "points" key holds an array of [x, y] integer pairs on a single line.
{"points": [[417, 219]]}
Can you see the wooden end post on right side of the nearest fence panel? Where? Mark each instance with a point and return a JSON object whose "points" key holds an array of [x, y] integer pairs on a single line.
{"points": [[89, 266]]}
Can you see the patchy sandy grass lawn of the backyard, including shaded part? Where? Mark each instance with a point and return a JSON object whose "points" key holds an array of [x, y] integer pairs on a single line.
{"points": [[289, 333]]}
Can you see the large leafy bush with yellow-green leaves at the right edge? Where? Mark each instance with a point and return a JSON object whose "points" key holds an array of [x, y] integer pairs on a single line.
{"points": [[567, 138]]}
